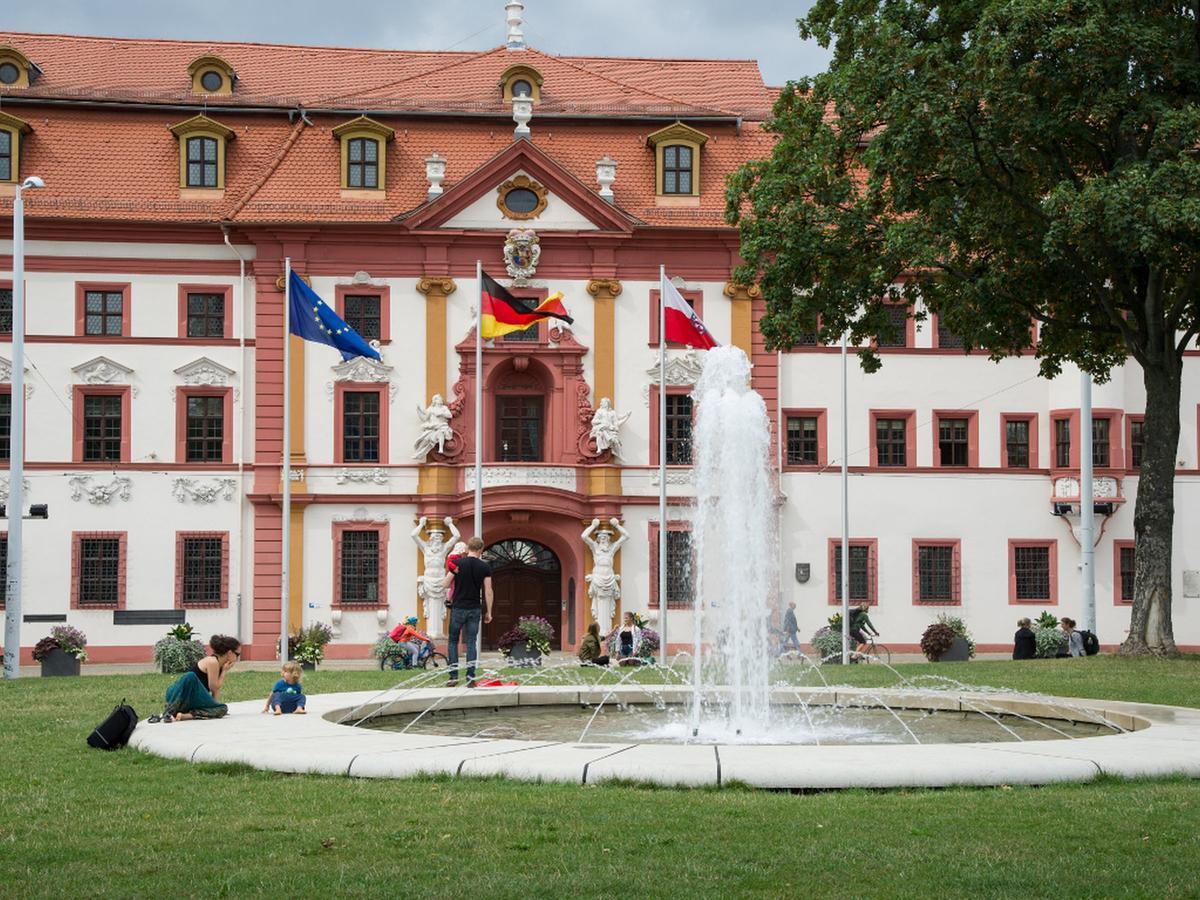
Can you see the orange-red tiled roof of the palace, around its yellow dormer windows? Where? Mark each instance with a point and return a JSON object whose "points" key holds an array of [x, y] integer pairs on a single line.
{"points": [[123, 164]]}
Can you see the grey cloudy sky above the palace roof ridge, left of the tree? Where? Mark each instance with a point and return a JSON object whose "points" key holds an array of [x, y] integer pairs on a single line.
{"points": [[747, 29]]}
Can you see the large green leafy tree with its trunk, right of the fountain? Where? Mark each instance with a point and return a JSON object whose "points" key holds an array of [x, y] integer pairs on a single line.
{"points": [[1005, 163]]}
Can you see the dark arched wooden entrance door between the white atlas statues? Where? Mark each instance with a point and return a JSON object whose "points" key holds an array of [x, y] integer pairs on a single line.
{"points": [[527, 580]]}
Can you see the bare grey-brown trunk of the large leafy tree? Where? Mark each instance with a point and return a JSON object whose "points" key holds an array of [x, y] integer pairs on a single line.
{"points": [[1154, 521]]}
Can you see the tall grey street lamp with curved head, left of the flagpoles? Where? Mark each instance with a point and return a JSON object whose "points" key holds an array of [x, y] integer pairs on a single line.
{"points": [[17, 433]]}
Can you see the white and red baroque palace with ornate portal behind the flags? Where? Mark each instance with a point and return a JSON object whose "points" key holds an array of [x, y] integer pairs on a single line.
{"points": [[181, 176]]}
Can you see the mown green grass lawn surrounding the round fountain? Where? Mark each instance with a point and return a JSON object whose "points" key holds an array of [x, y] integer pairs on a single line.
{"points": [[76, 821]]}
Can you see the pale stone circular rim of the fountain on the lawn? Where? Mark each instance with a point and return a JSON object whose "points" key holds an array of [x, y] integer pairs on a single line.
{"points": [[1156, 741]]}
